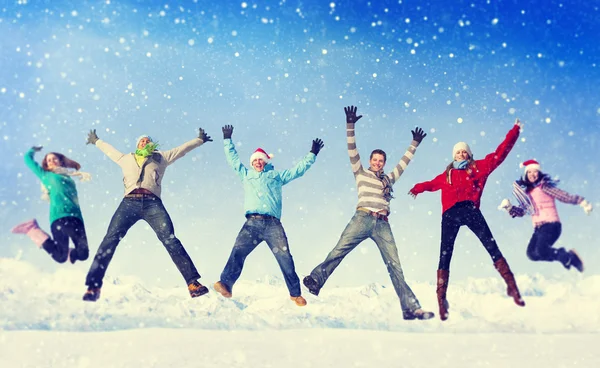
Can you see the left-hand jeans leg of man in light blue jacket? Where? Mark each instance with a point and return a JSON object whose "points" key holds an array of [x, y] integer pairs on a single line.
{"points": [[247, 240]]}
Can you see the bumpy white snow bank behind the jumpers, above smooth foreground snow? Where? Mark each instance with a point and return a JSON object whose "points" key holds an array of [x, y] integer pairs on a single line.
{"points": [[34, 300]]}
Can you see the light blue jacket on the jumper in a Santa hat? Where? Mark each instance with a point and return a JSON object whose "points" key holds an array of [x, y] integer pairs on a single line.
{"points": [[262, 190]]}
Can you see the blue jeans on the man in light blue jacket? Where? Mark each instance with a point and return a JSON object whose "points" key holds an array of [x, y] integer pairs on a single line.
{"points": [[251, 235]]}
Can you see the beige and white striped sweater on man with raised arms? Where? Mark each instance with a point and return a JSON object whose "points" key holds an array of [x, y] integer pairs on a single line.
{"points": [[369, 187]]}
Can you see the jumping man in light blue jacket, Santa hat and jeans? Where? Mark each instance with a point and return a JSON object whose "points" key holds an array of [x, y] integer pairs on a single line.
{"points": [[262, 203]]}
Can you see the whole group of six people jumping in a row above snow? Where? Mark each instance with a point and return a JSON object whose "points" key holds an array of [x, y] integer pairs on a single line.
{"points": [[461, 183]]}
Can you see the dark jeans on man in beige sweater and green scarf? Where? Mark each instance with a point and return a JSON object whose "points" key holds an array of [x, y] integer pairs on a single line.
{"points": [[130, 211]]}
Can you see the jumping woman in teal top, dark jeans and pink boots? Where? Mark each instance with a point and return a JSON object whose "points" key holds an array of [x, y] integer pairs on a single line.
{"points": [[65, 215]]}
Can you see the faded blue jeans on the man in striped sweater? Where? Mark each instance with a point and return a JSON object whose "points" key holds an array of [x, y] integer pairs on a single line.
{"points": [[364, 226]]}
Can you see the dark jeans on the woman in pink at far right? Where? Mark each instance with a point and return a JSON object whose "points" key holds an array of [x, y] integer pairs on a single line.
{"points": [[540, 245]]}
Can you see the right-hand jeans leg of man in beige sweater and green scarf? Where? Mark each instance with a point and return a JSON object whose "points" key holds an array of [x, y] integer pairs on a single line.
{"points": [[155, 214]]}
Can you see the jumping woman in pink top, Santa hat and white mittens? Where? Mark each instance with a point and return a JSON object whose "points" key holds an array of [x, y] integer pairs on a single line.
{"points": [[537, 194]]}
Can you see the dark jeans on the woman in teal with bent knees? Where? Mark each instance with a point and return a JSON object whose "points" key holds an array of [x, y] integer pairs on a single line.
{"points": [[58, 246]]}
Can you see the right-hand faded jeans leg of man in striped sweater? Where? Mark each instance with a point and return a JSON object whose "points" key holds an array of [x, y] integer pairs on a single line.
{"points": [[383, 237]]}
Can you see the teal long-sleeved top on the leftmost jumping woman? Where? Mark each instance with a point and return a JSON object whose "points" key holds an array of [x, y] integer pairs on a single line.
{"points": [[62, 191]]}
